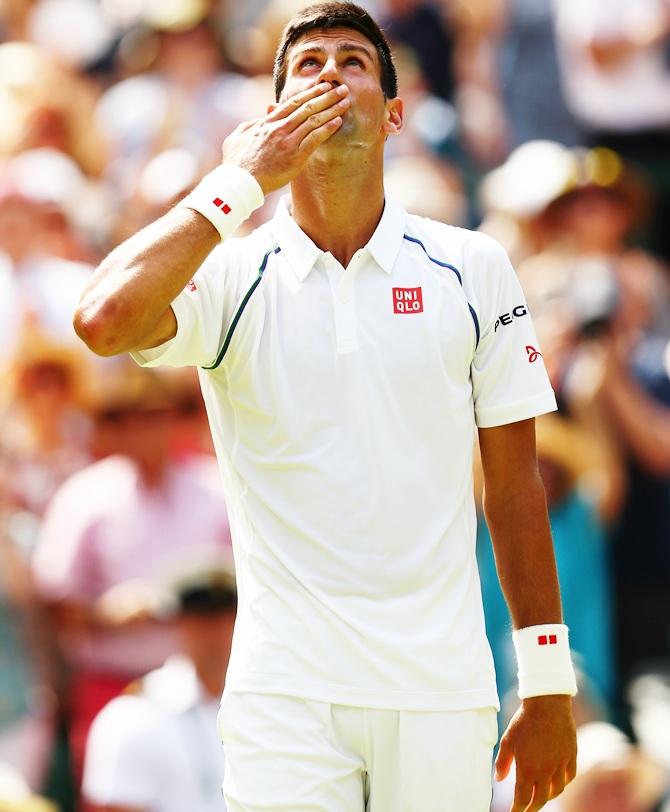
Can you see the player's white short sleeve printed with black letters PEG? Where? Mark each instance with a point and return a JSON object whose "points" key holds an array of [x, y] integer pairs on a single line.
{"points": [[509, 378]]}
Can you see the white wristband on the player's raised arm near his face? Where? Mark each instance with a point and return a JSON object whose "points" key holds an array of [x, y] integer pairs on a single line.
{"points": [[226, 197]]}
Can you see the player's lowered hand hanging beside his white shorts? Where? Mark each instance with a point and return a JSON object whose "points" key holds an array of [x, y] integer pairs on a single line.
{"points": [[541, 739]]}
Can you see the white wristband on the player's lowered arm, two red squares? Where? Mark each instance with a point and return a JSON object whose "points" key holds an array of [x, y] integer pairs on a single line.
{"points": [[543, 658]]}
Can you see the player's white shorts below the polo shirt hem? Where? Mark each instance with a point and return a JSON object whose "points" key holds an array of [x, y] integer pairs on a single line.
{"points": [[297, 755]]}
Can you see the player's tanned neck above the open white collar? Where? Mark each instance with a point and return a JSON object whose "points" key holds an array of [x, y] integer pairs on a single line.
{"points": [[339, 203]]}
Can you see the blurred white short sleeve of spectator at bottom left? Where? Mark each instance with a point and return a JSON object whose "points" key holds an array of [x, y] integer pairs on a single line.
{"points": [[121, 767]]}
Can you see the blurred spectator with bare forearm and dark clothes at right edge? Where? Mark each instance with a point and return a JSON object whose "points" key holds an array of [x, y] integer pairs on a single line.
{"points": [[635, 392]]}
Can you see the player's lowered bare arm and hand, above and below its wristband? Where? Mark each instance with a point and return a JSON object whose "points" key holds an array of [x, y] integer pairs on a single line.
{"points": [[541, 736]]}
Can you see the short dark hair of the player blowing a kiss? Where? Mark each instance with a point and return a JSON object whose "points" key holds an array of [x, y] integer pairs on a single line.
{"points": [[323, 16]]}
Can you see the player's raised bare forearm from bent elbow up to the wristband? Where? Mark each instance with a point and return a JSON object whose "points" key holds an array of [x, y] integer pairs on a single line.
{"points": [[125, 303]]}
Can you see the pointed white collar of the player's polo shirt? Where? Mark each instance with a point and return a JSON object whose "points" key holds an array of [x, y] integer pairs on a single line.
{"points": [[302, 253]]}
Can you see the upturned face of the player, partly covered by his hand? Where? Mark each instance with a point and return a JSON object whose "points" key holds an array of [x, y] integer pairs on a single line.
{"points": [[344, 56]]}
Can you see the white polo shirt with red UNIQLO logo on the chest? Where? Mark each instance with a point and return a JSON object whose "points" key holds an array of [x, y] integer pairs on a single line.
{"points": [[343, 405]]}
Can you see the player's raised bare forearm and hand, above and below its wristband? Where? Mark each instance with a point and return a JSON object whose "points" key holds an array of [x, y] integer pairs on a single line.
{"points": [[126, 306]]}
